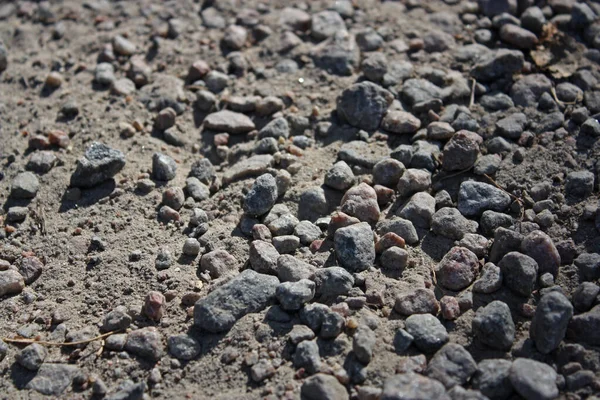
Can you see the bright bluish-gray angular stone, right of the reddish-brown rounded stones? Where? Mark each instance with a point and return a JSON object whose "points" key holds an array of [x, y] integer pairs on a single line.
{"points": [[477, 197]]}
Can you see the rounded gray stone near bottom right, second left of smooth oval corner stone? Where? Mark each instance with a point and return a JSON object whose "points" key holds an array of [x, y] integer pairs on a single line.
{"points": [[452, 365]]}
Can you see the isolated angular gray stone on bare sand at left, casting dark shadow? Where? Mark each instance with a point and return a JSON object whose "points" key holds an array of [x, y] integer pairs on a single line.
{"points": [[98, 164]]}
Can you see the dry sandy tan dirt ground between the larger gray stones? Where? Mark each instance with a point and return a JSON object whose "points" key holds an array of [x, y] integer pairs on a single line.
{"points": [[81, 282]]}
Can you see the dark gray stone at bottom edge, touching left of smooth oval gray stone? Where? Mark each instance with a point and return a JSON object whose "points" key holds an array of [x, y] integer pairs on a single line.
{"points": [[492, 379]]}
